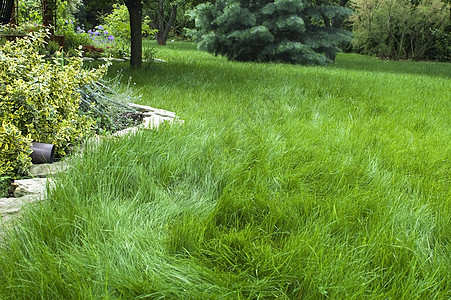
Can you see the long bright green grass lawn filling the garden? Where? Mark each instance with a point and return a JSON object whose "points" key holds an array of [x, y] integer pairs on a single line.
{"points": [[285, 182]]}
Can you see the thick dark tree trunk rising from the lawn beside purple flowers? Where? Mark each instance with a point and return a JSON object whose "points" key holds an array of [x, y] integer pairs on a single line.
{"points": [[135, 12]]}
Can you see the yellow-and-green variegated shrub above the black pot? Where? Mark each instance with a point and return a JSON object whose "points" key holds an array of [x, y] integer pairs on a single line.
{"points": [[40, 98]]}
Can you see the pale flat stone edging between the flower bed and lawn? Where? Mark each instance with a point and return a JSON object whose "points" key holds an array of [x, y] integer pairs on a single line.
{"points": [[27, 191]]}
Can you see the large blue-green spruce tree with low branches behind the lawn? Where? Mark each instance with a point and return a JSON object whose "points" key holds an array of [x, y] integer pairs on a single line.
{"points": [[293, 31]]}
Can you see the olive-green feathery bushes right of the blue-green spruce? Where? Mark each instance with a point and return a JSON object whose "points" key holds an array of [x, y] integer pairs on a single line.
{"points": [[402, 29]]}
